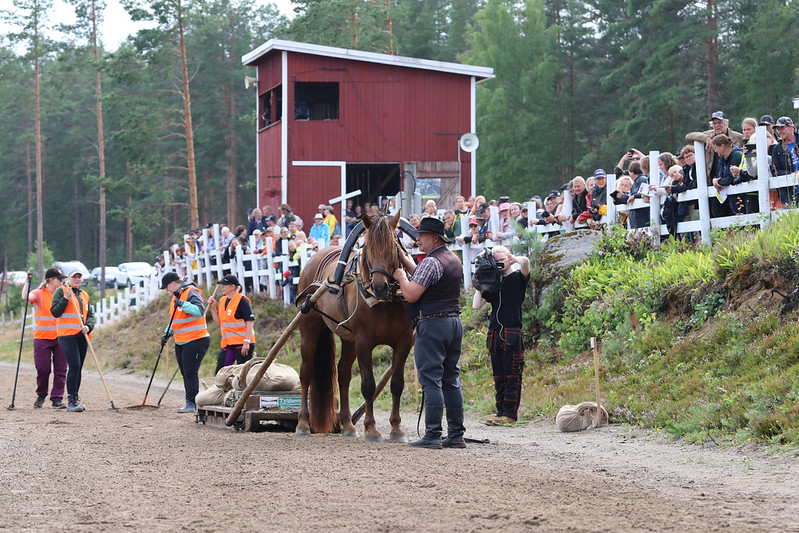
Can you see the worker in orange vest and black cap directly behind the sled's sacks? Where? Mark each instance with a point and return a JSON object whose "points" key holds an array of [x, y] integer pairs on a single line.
{"points": [[236, 319]]}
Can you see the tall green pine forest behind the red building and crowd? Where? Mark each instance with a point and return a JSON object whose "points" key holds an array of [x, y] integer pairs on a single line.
{"points": [[577, 84]]}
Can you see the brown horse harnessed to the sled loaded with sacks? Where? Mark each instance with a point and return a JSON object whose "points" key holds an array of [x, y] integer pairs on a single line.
{"points": [[360, 328]]}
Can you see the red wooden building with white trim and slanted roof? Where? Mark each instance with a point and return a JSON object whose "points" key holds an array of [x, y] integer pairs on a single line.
{"points": [[332, 121]]}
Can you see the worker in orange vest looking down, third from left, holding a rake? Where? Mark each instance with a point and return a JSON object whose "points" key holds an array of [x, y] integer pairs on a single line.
{"points": [[191, 333]]}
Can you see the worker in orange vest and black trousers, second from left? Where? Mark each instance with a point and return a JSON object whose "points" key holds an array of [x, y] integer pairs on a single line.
{"points": [[74, 323]]}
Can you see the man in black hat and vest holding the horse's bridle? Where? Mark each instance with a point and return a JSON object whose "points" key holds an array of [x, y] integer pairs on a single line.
{"points": [[434, 292]]}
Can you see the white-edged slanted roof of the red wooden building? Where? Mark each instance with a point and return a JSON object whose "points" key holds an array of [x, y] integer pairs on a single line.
{"points": [[483, 73]]}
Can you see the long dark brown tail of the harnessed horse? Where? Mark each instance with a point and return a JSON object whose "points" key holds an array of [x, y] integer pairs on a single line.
{"points": [[322, 407]]}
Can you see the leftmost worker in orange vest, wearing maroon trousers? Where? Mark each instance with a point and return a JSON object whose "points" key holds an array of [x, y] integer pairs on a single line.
{"points": [[47, 354]]}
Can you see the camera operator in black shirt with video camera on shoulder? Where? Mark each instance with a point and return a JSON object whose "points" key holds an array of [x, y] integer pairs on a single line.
{"points": [[504, 341]]}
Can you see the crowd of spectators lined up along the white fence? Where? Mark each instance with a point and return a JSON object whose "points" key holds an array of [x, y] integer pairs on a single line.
{"points": [[730, 159]]}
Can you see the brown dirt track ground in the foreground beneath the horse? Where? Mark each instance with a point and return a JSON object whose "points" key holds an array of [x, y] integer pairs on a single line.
{"points": [[157, 470]]}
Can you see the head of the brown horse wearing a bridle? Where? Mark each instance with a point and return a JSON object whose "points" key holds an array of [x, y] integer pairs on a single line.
{"points": [[381, 257]]}
